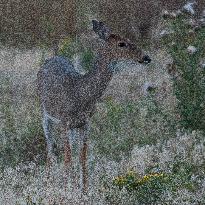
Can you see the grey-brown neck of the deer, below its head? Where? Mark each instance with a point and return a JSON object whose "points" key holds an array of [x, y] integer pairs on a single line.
{"points": [[99, 77]]}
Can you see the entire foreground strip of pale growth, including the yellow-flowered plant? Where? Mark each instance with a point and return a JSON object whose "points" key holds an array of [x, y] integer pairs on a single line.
{"points": [[176, 178]]}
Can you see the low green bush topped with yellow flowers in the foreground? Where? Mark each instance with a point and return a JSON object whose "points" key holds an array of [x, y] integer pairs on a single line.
{"points": [[153, 187]]}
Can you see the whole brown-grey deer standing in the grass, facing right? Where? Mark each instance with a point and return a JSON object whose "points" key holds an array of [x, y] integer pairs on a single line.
{"points": [[69, 98]]}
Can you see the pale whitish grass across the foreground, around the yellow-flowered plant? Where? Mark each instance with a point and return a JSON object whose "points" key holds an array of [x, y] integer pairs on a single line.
{"points": [[28, 184]]}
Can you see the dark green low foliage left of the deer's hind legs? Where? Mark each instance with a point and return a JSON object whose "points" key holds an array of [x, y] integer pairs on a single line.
{"points": [[30, 146]]}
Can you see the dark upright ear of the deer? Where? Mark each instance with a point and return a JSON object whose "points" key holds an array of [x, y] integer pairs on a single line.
{"points": [[101, 30]]}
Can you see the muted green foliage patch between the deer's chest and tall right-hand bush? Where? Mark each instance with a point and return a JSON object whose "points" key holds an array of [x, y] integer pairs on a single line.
{"points": [[123, 125]]}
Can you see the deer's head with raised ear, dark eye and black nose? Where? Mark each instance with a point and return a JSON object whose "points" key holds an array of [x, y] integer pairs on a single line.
{"points": [[119, 48]]}
